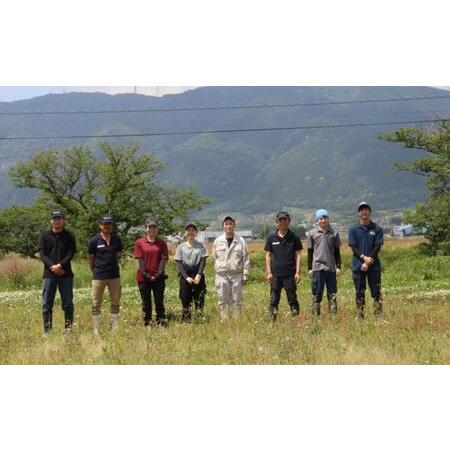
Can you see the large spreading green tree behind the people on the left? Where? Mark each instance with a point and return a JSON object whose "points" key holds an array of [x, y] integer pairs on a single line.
{"points": [[114, 179]]}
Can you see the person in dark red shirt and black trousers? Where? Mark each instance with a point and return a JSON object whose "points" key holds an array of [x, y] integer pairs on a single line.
{"points": [[152, 254]]}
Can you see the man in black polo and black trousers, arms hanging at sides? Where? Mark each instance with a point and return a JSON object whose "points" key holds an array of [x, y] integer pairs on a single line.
{"points": [[283, 264]]}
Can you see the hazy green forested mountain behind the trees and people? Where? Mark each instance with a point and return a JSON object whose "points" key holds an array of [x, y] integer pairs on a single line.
{"points": [[246, 172]]}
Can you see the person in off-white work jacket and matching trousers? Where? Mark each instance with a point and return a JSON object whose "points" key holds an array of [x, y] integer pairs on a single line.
{"points": [[231, 265]]}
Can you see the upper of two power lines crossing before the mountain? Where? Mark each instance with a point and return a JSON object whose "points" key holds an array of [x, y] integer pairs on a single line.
{"points": [[229, 107]]}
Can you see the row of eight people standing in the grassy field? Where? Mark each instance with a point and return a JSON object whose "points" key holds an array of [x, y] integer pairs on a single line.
{"points": [[57, 247]]}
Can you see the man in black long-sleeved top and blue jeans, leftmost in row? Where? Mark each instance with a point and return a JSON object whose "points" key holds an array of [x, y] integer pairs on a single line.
{"points": [[57, 248]]}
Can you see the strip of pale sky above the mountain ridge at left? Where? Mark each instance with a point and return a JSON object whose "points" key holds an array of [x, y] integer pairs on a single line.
{"points": [[11, 93]]}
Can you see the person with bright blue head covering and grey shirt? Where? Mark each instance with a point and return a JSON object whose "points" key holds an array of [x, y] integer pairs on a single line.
{"points": [[324, 262]]}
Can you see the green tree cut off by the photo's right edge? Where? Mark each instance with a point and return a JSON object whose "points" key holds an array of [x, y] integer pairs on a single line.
{"points": [[434, 213]]}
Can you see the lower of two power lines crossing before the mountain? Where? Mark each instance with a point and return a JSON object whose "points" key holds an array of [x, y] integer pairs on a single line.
{"points": [[241, 130]]}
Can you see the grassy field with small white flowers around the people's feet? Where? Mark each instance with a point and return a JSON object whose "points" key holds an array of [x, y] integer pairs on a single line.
{"points": [[414, 329]]}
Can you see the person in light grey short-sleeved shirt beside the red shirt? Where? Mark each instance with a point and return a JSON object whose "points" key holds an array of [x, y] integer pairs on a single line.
{"points": [[190, 257]]}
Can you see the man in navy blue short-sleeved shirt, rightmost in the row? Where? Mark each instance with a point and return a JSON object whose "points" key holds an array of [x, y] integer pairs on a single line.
{"points": [[365, 240]]}
